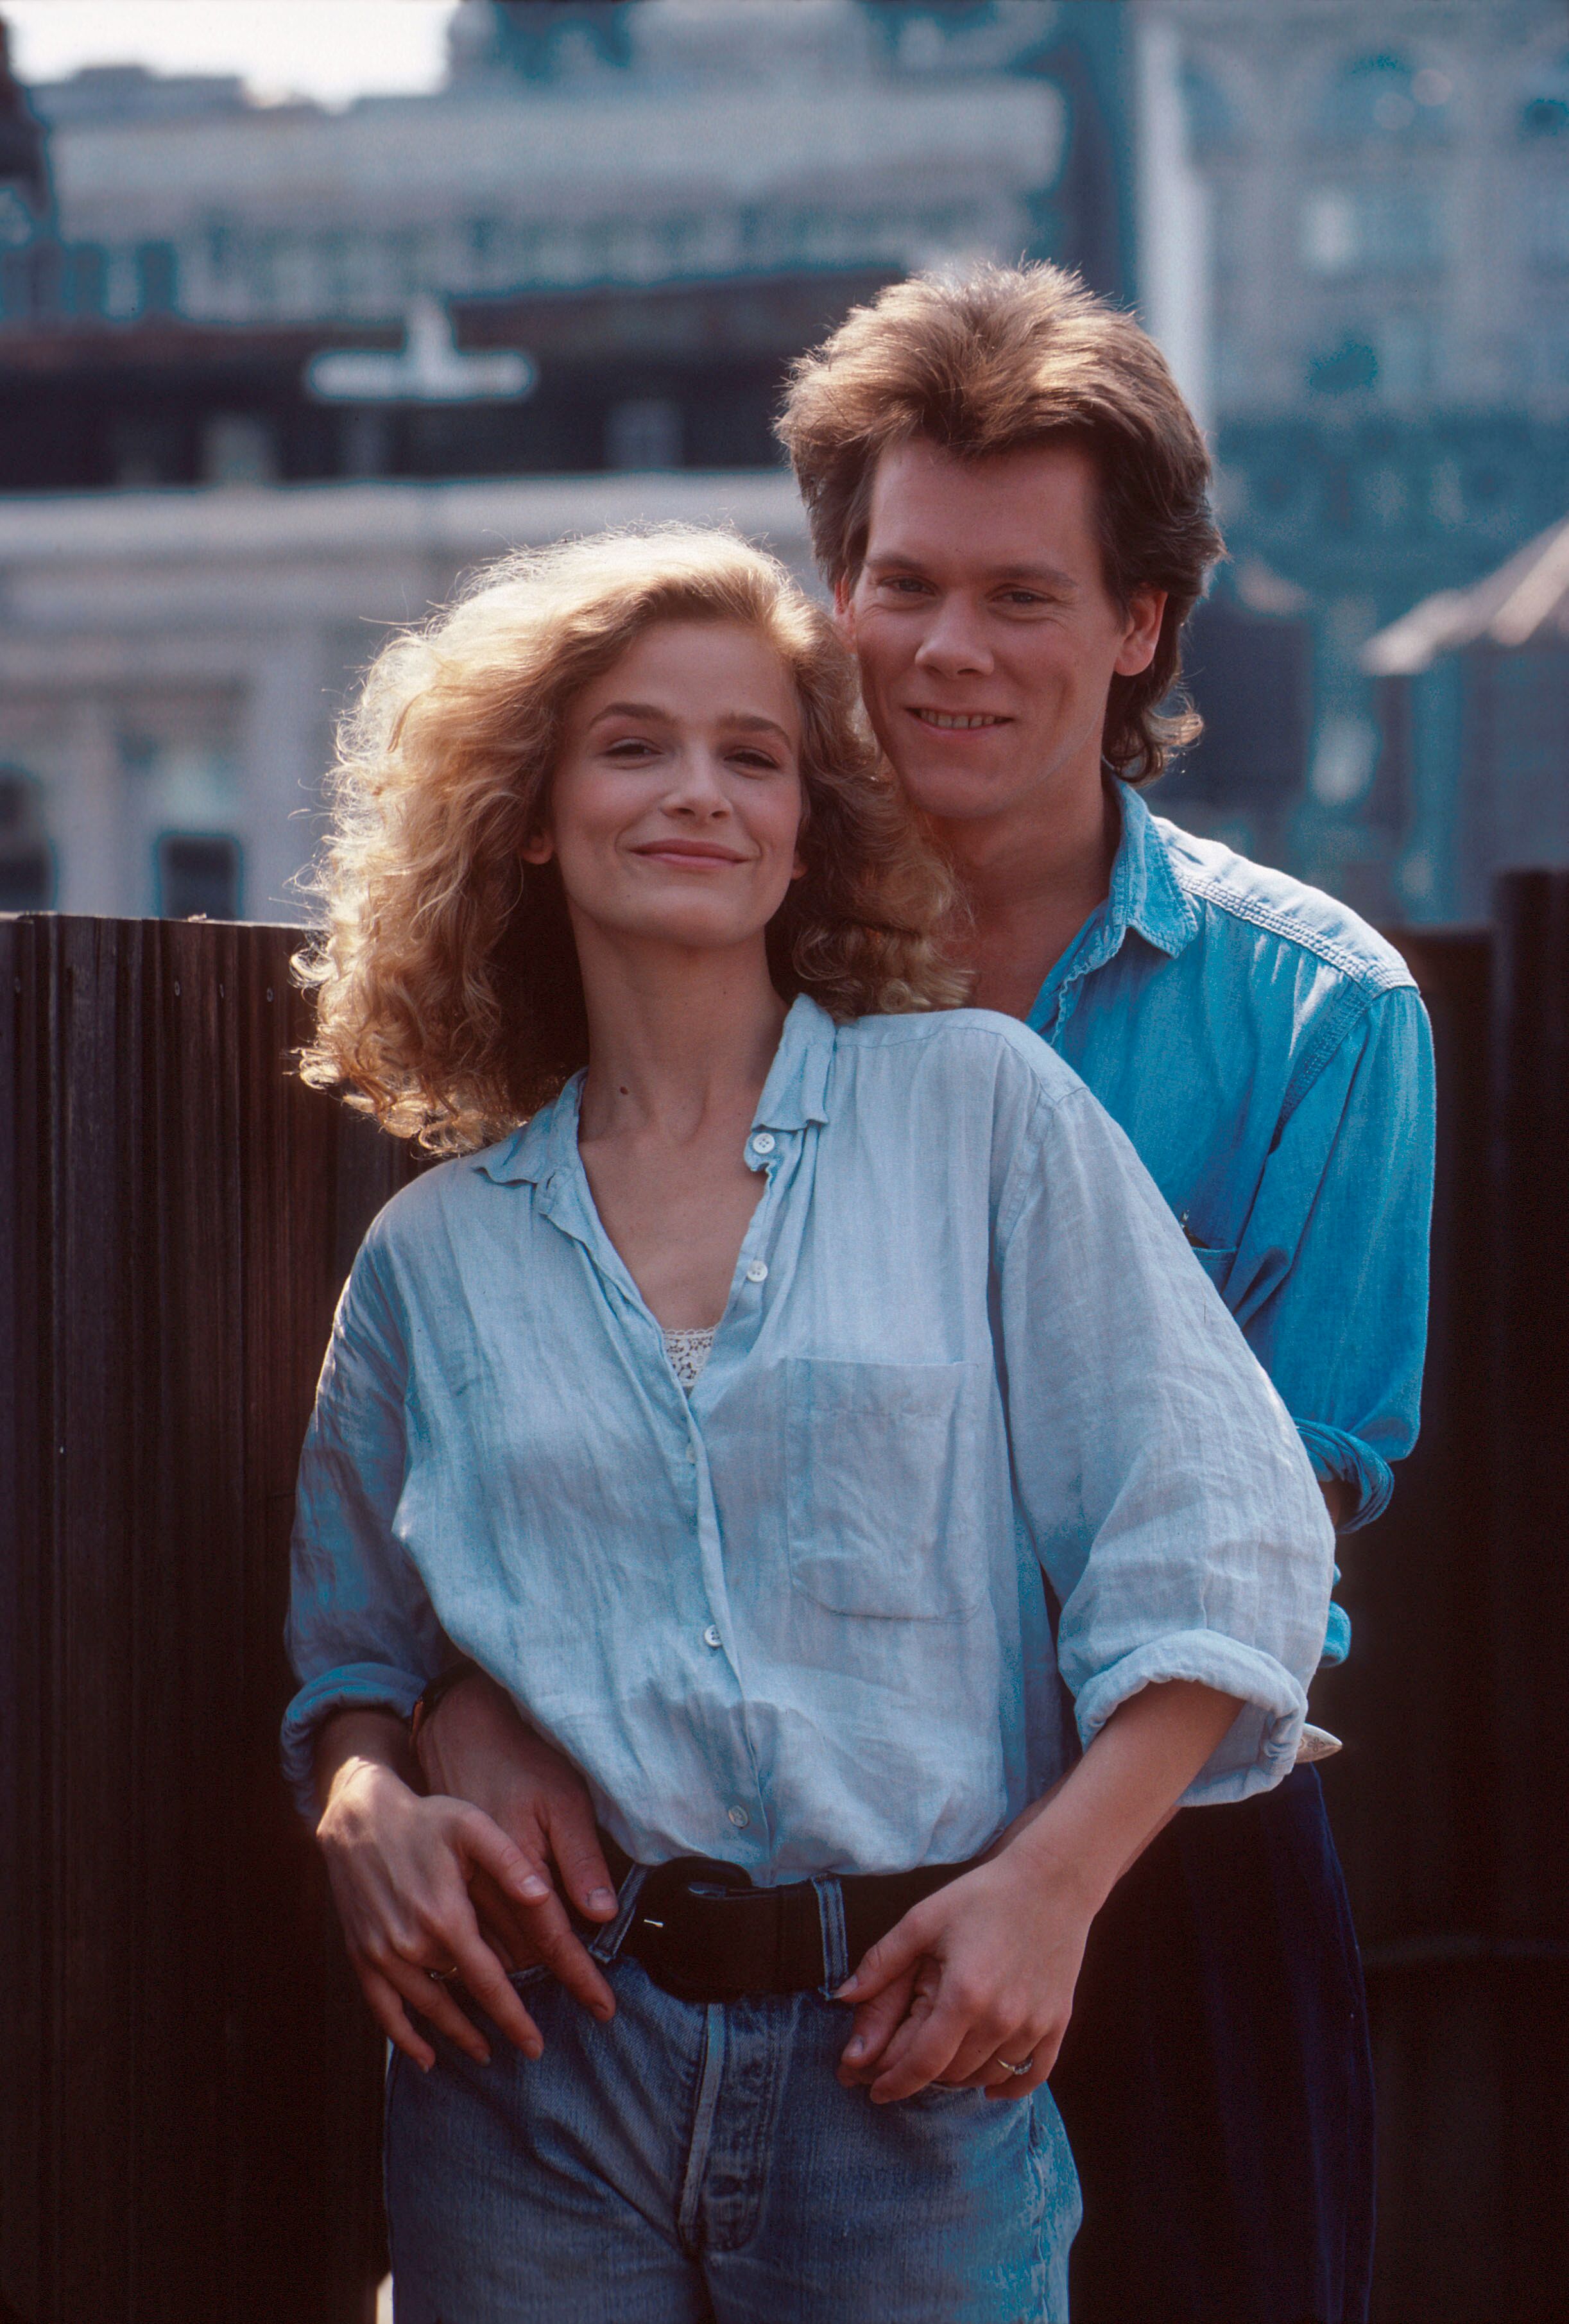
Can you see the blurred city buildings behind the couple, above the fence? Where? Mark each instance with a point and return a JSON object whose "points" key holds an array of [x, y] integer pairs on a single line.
{"points": [[273, 375]]}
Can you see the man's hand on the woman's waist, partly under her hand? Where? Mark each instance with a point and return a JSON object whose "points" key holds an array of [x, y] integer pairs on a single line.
{"points": [[475, 1749]]}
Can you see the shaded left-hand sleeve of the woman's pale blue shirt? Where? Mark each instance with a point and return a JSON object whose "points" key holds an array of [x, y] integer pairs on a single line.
{"points": [[361, 1628]]}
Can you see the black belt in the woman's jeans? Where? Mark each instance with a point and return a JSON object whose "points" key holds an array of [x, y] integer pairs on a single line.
{"points": [[708, 1935]]}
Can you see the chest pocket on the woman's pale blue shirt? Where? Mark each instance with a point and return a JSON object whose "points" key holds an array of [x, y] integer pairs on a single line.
{"points": [[875, 1502]]}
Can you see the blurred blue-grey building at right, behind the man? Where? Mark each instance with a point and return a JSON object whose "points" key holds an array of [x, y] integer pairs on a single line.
{"points": [[1384, 282]]}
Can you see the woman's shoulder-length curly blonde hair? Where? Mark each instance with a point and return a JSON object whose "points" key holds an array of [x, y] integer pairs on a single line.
{"points": [[447, 991]]}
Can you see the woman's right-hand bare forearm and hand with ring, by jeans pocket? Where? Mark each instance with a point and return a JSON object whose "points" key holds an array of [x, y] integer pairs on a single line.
{"points": [[980, 1979]]}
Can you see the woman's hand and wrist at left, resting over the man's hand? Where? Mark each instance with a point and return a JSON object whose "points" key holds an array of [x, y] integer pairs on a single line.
{"points": [[401, 1874]]}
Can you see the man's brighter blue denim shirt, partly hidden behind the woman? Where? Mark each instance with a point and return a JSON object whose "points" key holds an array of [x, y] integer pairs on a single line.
{"points": [[1273, 1063]]}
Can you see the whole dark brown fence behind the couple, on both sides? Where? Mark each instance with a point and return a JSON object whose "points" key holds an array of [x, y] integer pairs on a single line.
{"points": [[189, 2088]]}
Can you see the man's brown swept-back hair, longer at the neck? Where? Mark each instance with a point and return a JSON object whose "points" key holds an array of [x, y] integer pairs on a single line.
{"points": [[996, 361]]}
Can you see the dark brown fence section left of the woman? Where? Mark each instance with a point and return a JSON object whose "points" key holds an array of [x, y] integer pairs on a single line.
{"points": [[187, 2086]]}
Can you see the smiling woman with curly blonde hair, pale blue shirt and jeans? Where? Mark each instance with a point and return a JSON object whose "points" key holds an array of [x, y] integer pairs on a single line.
{"points": [[752, 1414]]}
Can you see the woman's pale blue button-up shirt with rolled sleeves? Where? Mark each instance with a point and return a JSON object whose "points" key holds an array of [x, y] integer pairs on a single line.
{"points": [[970, 1389]]}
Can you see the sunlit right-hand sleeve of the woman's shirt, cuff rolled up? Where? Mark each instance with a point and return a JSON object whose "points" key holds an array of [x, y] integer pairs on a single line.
{"points": [[1198, 1542]]}
